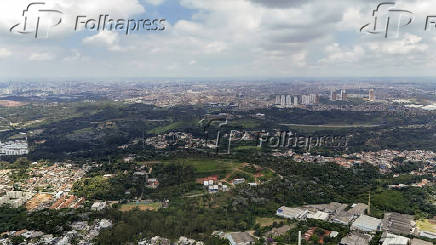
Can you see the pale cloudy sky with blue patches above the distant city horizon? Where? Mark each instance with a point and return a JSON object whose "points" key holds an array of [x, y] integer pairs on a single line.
{"points": [[220, 38]]}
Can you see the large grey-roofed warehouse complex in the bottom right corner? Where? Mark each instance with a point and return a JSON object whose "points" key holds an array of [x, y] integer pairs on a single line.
{"points": [[395, 226]]}
